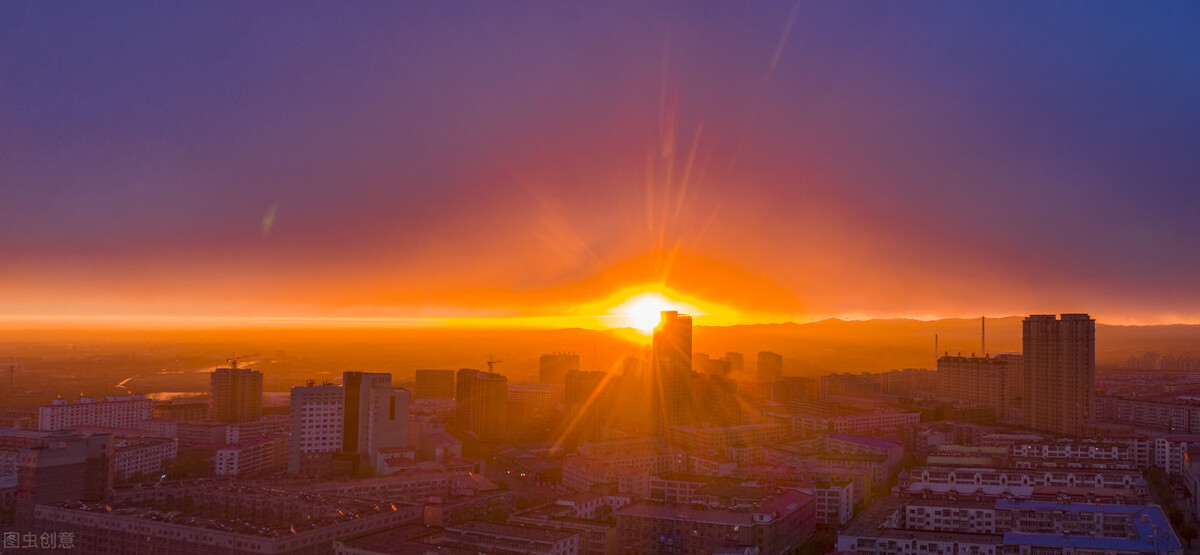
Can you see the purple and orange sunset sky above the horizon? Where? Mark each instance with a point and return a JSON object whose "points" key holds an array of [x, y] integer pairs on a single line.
{"points": [[541, 166]]}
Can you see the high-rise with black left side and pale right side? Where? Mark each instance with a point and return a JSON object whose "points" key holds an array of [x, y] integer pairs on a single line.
{"points": [[376, 419]]}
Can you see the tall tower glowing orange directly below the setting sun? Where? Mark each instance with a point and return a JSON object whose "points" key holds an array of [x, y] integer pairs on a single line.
{"points": [[671, 393]]}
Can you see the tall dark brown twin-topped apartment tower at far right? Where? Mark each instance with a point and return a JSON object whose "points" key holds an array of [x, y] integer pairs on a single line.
{"points": [[1060, 373]]}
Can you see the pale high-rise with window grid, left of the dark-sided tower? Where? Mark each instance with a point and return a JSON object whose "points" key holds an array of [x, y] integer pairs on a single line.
{"points": [[317, 419]]}
